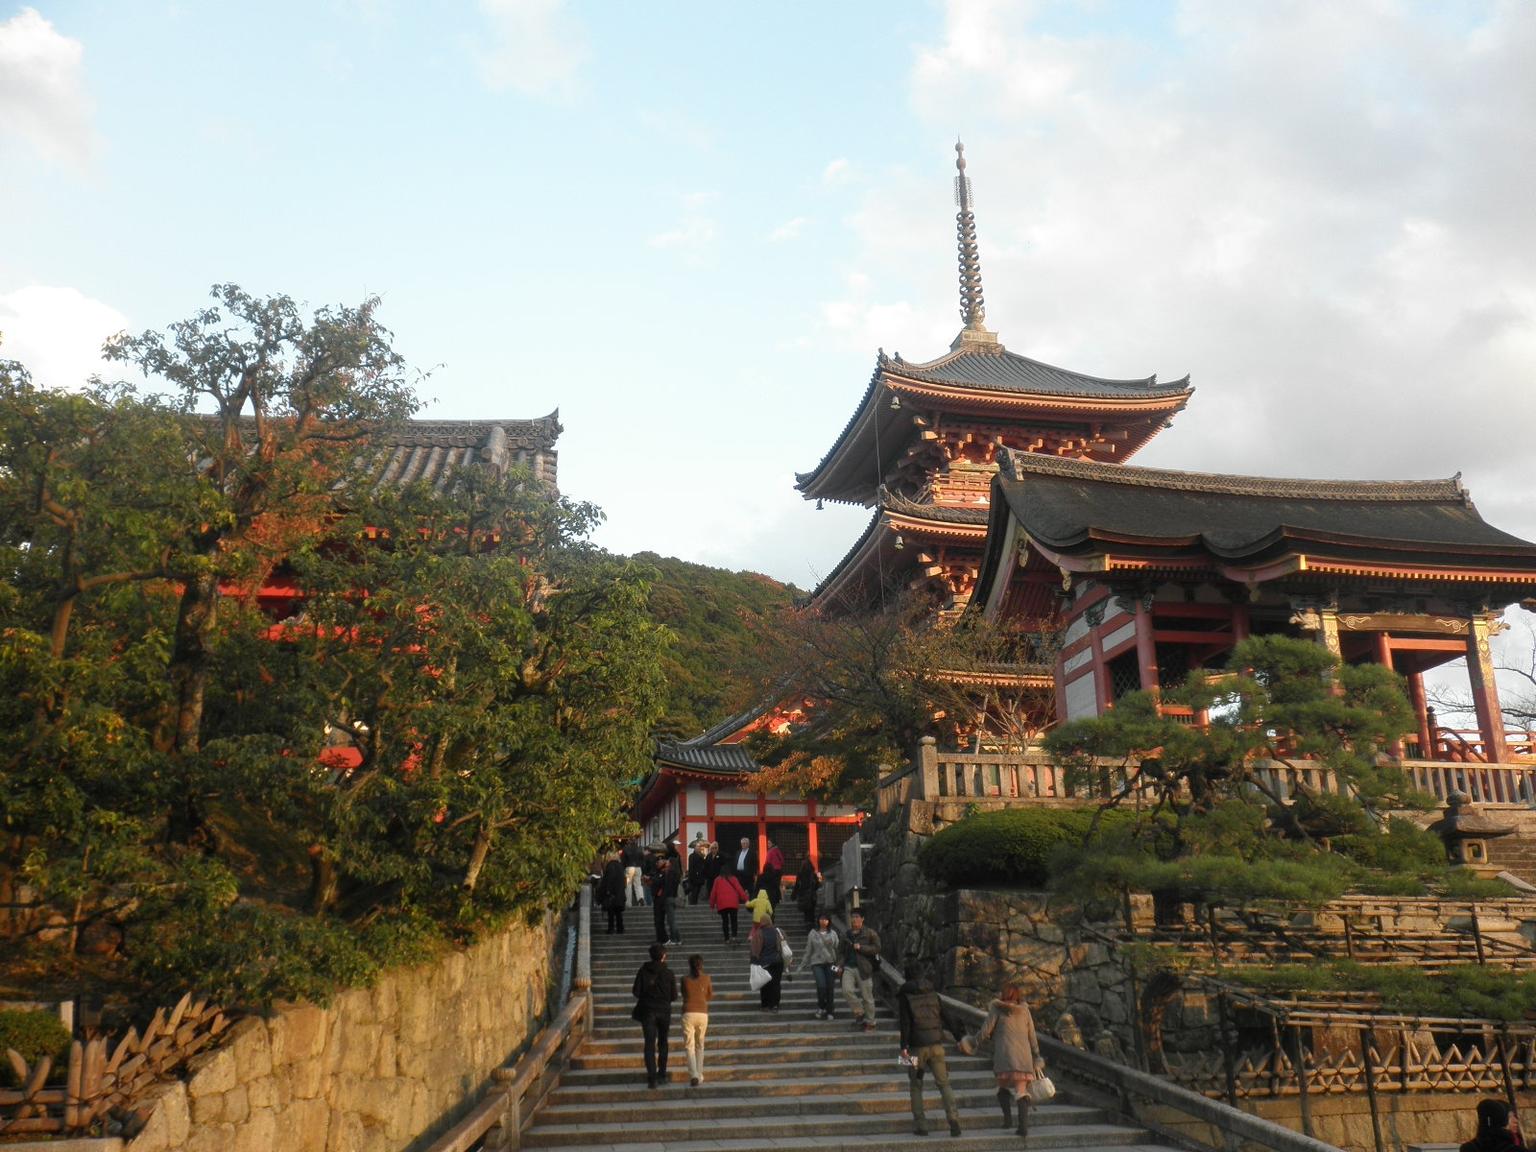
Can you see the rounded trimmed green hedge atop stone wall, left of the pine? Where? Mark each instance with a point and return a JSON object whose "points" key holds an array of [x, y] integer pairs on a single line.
{"points": [[1010, 846]]}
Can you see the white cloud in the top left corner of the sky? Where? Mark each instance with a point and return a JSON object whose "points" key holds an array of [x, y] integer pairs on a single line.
{"points": [[42, 88]]}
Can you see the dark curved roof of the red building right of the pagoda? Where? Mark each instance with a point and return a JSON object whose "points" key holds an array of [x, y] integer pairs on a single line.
{"points": [[1079, 509]]}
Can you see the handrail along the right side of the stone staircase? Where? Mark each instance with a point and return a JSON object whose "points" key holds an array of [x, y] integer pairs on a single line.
{"points": [[1133, 1087]]}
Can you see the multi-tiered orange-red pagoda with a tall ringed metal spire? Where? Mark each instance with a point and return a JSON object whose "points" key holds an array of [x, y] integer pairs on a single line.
{"points": [[922, 446]]}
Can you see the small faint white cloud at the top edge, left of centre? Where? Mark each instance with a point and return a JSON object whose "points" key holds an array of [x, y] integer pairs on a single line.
{"points": [[535, 47]]}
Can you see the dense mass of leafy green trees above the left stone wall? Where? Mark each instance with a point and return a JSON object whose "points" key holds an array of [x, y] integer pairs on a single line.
{"points": [[179, 809]]}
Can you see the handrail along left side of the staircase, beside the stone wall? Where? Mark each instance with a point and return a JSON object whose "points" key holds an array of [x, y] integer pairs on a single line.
{"points": [[518, 1090]]}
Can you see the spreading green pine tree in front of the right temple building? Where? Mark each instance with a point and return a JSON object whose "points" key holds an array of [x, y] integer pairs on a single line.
{"points": [[1211, 824]]}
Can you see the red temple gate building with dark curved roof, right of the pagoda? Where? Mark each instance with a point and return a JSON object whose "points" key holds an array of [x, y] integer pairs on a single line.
{"points": [[1153, 574]]}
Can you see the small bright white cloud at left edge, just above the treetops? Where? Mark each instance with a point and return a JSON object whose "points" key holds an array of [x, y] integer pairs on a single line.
{"points": [[58, 334]]}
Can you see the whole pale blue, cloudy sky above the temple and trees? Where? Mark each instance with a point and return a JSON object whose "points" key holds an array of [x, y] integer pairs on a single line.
{"points": [[690, 227]]}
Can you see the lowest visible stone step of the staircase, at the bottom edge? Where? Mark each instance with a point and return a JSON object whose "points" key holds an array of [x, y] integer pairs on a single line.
{"points": [[827, 1130]]}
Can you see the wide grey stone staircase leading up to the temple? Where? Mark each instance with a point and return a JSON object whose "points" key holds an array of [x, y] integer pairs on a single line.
{"points": [[773, 1082]]}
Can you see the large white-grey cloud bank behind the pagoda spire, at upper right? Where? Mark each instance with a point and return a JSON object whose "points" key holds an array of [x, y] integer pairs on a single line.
{"points": [[1342, 254]]}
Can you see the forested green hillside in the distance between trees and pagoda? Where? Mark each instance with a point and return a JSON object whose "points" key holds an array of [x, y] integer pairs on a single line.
{"points": [[710, 672]]}
